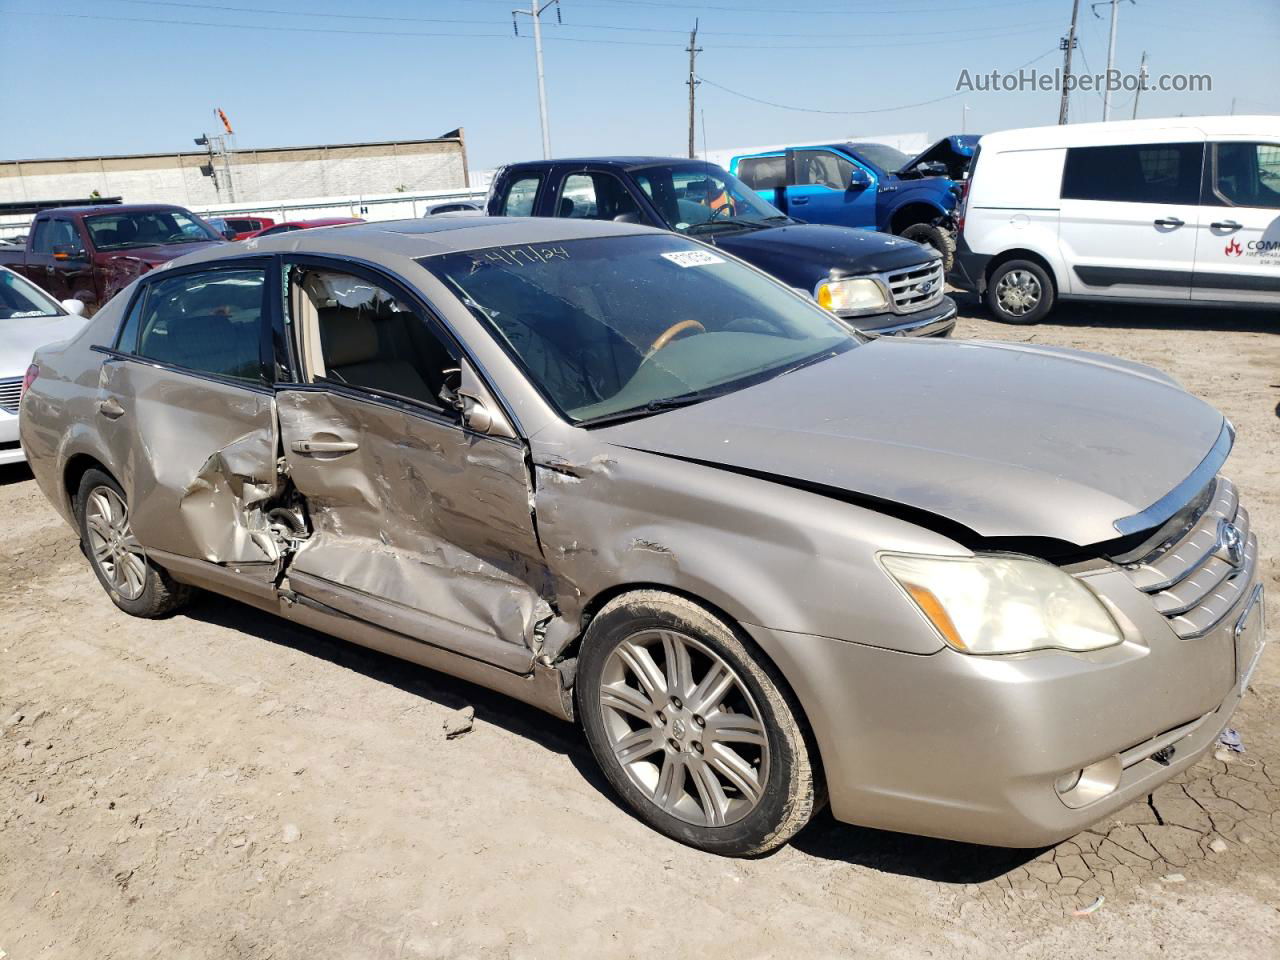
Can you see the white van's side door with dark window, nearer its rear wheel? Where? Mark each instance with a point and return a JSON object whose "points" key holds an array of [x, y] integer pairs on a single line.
{"points": [[1130, 217]]}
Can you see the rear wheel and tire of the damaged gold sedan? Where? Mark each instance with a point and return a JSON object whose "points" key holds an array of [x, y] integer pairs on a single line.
{"points": [[134, 583]]}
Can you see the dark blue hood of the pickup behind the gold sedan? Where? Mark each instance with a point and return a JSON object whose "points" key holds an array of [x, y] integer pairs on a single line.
{"points": [[803, 254]]}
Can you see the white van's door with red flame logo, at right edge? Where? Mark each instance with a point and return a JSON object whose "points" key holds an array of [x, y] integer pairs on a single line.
{"points": [[1238, 254]]}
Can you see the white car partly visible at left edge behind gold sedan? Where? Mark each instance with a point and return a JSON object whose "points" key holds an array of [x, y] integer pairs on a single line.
{"points": [[29, 319]]}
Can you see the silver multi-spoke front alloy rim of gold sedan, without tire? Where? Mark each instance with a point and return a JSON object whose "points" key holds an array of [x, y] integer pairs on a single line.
{"points": [[684, 728]]}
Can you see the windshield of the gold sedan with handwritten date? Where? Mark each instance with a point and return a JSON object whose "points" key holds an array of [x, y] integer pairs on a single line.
{"points": [[634, 324]]}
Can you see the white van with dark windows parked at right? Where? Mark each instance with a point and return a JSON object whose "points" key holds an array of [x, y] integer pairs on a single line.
{"points": [[1182, 211]]}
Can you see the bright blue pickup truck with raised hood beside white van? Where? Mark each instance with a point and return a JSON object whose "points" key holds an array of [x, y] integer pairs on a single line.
{"points": [[866, 185]]}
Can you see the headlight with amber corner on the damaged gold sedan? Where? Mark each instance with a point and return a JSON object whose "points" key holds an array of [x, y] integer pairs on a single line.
{"points": [[1004, 605]]}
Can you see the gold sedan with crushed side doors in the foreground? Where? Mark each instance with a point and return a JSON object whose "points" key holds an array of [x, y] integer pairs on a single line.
{"points": [[984, 592]]}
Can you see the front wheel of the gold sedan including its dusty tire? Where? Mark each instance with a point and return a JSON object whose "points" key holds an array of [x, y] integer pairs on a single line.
{"points": [[753, 785]]}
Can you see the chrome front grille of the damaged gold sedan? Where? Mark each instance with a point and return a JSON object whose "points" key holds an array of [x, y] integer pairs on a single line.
{"points": [[1197, 580]]}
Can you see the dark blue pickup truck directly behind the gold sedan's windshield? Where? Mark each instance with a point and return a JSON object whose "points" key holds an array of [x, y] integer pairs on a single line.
{"points": [[880, 285]]}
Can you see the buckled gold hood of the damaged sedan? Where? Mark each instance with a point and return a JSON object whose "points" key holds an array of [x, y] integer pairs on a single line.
{"points": [[1011, 442]]}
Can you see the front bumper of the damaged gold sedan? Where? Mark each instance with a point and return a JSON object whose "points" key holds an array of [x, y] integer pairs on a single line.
{"points": [[970, 748]]}
